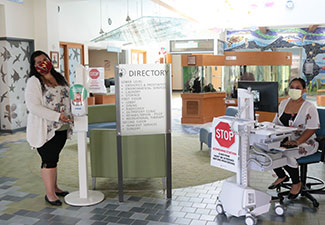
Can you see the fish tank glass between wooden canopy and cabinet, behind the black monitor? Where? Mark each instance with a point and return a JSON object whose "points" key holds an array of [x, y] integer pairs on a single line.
{"points": [[198, 79]]}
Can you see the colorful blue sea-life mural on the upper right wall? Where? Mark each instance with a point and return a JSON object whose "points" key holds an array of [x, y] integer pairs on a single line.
{"points": [[313, 58]]}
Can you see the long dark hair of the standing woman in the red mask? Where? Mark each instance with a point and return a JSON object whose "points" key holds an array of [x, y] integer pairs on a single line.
{"points": [[33, 72]]}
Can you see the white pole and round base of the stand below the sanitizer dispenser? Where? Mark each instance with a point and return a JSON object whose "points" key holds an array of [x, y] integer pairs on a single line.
{"points": [[83, 197]]}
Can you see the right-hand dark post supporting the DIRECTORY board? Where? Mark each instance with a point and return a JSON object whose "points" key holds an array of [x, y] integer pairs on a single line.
{"points": [[168, 132]]}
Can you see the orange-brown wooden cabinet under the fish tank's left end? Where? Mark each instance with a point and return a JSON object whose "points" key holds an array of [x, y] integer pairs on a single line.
{"points": [[198, 108]]}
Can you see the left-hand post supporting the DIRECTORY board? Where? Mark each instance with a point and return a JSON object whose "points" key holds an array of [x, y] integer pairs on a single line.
{"points": [[118, 136]]}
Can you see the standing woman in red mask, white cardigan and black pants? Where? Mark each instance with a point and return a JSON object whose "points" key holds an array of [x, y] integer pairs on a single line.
{"points": [[49, 119]]}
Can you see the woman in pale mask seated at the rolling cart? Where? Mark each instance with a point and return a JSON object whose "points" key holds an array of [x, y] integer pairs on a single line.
{"points": [[302, 114]]}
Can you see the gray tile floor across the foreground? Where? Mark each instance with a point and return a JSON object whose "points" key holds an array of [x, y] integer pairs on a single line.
{"points": [[192, 205]]}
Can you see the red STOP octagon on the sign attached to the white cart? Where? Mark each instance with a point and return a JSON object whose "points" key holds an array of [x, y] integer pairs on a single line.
{"points": [[224, 136]]}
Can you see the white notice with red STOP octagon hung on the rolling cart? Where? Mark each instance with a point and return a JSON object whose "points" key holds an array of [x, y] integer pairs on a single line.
{"points": [[225, 144]]}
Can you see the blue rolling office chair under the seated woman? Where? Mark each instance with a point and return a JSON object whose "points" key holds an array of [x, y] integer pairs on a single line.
{"points": [[315, 185]]}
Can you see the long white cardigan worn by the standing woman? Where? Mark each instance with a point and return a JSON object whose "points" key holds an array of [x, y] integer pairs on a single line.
{"points": [[36, 132]]}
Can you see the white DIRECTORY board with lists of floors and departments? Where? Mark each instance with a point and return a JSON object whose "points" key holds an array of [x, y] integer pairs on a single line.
{"points": [[141, 93]]}
